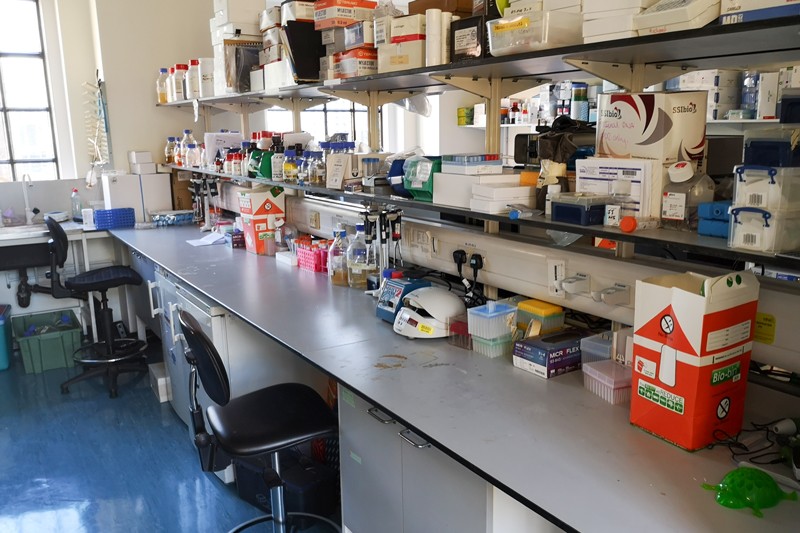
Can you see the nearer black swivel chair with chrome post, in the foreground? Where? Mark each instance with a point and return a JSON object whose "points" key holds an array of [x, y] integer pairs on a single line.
{"points": [[253, 428]]}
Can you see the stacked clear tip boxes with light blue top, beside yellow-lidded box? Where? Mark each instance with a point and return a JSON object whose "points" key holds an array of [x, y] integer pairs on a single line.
{"points": [[492, 327]]}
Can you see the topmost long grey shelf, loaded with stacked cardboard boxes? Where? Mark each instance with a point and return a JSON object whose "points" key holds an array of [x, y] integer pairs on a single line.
{"points": [[735, 46]]}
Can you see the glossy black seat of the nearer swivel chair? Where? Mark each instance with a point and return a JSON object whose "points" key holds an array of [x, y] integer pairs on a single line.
{"points": [[271, 419]]}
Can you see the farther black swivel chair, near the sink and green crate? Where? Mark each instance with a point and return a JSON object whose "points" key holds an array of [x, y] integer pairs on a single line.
{"points": [[110, 356]]}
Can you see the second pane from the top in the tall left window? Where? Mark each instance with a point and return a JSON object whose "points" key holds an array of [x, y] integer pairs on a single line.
{"points": [[24, 83]]}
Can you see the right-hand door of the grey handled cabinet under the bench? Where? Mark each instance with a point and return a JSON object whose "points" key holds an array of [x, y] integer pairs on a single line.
{"points": [[440, 494]]}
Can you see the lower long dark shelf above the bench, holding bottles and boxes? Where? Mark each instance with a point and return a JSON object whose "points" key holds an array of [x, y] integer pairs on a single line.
{"points": [[671, 242]]}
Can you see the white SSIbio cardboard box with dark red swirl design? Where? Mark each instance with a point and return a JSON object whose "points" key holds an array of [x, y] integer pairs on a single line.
{"points": [[668, 127]]}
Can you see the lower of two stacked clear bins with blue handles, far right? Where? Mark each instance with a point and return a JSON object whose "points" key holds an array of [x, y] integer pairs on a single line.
{"points": [[757, 229]]}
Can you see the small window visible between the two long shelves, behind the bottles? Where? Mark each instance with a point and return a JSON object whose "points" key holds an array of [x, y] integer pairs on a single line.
{"points": [[322, 121]]}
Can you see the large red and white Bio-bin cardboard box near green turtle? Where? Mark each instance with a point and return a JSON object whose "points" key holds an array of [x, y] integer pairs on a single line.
{"points": [[692, 341]]}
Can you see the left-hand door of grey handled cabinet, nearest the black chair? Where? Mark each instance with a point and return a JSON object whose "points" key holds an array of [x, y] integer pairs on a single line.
{"points": [[371, 477]]}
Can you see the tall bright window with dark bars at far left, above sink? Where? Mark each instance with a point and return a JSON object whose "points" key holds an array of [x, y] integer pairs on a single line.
{"points": [[27, 138]]}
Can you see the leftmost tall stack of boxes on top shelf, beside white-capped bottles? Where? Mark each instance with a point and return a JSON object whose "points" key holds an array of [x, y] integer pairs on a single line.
{"points": [[236, 42]]}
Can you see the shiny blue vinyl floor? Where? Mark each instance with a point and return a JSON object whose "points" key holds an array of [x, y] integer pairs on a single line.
{"points": [[85, 463]]}
